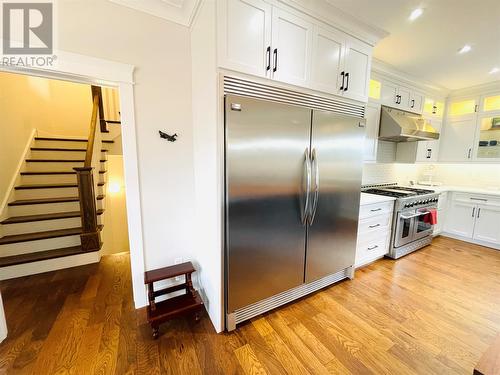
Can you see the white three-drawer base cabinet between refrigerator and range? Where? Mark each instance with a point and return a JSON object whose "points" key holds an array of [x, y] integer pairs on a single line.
{"points": [[374, 232]]}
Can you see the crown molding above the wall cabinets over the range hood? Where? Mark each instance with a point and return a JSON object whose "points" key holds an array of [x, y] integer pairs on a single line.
{"points": [[390, 72]]}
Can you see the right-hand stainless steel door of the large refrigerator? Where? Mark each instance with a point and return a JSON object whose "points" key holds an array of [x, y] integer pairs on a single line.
{"points": [[337, 157]]}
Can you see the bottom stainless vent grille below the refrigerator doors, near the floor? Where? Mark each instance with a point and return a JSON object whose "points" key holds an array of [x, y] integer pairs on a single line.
{"points": [[283, 298]]}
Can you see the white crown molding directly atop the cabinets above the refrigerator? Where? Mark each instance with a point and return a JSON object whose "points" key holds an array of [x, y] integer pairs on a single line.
{"points": [[326, 12]]}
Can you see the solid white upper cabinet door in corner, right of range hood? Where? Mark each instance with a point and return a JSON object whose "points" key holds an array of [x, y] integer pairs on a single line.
{"points": [[457, 140]]}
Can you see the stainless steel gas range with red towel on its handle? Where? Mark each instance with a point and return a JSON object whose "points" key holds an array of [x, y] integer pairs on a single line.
{"points": [[411, 228]]}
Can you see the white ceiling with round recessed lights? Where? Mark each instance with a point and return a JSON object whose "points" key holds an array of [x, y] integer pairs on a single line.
{"points": [[427, 48]]}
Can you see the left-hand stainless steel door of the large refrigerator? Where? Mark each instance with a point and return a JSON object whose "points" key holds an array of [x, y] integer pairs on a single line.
{"points": [[266, 171]]}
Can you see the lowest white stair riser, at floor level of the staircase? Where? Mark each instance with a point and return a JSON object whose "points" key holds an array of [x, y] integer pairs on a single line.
{"points": [[33, 268]]}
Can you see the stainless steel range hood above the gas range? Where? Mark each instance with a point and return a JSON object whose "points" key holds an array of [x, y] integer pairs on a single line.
{"points": [[402, 126]]}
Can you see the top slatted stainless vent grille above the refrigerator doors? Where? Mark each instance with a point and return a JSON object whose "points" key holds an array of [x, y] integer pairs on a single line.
{"points": [[260, 91]]}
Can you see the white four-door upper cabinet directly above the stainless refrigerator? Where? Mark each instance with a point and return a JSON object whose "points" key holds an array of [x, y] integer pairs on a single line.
{"points": [[279, 43]]}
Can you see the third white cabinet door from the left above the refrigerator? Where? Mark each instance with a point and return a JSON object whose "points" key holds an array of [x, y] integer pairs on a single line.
{"points": [[328, 56]]}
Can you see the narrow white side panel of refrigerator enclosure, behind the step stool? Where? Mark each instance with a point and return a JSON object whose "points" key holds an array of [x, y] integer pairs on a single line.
{"points": [[208, 250]]}
